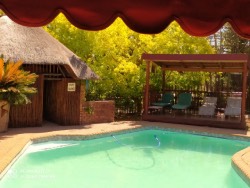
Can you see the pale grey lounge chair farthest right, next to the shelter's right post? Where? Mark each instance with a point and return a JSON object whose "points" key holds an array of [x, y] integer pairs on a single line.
{"points": [[233, 107]]}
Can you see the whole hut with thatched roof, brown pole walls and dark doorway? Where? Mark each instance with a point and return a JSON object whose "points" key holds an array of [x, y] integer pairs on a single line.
{"points": [[60, 89]]}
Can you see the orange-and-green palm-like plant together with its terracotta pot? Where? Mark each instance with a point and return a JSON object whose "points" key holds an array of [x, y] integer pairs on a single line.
{"points": [[15, 86]]}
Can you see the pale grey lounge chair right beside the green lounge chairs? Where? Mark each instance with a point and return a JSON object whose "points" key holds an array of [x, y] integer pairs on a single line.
{"points": [[208, 107]]}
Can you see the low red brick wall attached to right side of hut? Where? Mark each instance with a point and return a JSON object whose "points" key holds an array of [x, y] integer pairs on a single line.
{"points": [[97, 112]]}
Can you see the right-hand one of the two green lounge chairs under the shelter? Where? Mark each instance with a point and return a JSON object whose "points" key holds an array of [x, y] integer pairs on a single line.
{"points": [[183, 102]]}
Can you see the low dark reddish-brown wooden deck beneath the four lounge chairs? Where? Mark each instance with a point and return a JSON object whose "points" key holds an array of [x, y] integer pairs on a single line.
{"points": [[194, 119]]}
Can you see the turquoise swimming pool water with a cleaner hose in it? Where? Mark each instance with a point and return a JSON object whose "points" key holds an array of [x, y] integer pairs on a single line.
{"points": [[148, 158]]}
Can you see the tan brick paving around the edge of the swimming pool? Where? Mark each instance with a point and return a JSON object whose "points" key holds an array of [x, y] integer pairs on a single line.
{"points": [[14, 140]]}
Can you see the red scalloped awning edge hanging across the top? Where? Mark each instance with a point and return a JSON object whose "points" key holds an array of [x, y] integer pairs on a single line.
{"points": [[196, 17]]}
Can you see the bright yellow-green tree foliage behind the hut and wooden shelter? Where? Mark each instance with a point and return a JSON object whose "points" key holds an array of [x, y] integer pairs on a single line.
{"points": [[115, 55]]}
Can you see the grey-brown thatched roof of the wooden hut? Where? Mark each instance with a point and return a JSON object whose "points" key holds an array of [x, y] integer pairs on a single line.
{"points": [[33, 45]]}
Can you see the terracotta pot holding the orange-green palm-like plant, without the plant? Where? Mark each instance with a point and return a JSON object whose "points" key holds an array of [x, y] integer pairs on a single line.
{"points": [[4, 115]]}
